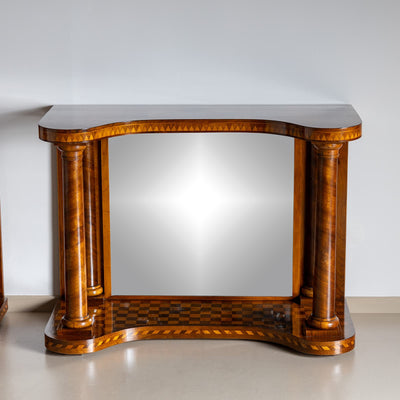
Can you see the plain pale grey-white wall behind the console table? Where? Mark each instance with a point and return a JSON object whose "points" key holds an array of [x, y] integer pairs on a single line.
{"points": [[213, 51]]}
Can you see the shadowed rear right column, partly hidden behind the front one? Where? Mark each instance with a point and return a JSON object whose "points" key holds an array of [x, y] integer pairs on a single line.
{"points": [[311, 220]]}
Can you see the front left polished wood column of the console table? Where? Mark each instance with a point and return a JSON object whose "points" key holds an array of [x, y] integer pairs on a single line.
{"points": [[76, 315]]}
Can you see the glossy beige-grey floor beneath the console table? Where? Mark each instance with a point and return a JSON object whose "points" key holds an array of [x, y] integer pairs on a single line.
{"points": [[199, 369]]}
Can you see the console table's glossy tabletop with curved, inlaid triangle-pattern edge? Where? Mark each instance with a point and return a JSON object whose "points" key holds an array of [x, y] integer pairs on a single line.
{"points": [[311, 122]]}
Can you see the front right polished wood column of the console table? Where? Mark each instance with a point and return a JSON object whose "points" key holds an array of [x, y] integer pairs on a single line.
{"points": [[323, 311]]}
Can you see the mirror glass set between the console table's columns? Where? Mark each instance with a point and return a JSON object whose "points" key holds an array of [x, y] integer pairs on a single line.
{"points": [[201, 214]]}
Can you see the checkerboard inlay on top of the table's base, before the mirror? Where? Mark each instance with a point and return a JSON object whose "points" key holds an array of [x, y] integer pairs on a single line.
{"points": [[118, 315]]}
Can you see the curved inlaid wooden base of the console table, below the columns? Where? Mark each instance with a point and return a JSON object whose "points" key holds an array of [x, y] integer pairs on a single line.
{"points": [[120, 320]]}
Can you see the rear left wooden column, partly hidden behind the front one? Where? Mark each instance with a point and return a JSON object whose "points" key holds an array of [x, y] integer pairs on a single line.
{"points": [[92, 218]]}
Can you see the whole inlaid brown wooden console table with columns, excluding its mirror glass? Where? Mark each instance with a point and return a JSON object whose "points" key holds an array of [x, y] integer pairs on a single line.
{"points": [[313, 320]]}
